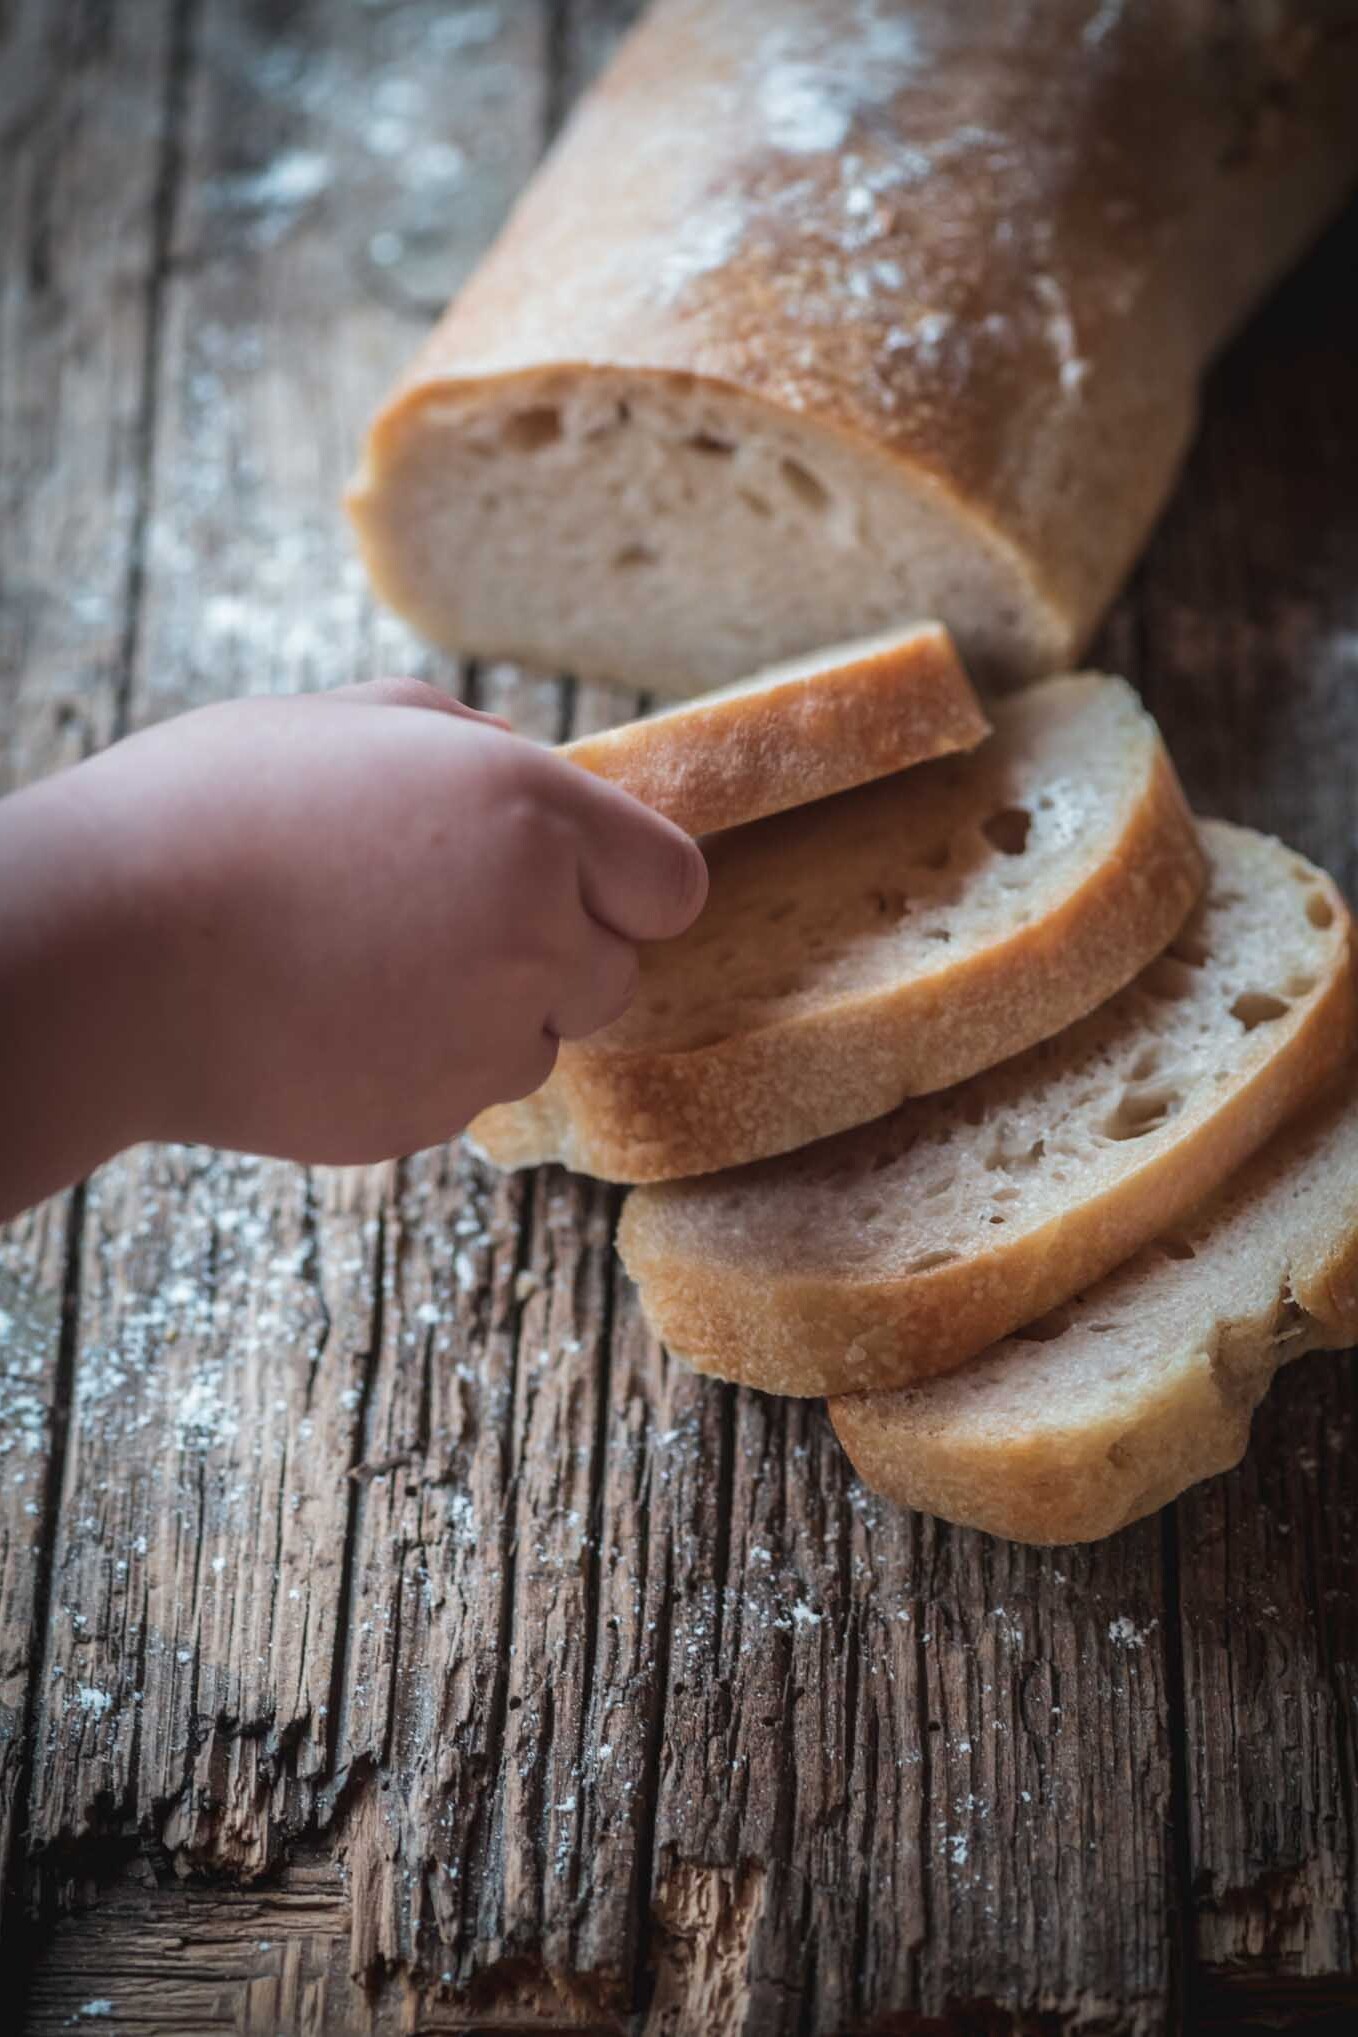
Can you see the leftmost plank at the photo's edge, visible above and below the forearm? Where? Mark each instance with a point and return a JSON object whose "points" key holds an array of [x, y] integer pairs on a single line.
{"points": [[87, 109]]}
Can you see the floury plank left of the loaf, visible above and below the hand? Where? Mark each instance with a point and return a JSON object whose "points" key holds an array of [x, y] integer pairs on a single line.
{"points": [[223, 1366]]}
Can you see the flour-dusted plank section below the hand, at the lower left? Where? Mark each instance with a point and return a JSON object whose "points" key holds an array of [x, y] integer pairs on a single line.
{"points": [[196, 1594]]}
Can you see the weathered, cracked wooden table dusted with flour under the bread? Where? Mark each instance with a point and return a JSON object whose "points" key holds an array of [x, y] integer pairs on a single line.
{"points": [[376, 1600]]}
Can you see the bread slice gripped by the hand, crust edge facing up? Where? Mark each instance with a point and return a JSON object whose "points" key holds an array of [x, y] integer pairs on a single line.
{"points": [[795, 732]]}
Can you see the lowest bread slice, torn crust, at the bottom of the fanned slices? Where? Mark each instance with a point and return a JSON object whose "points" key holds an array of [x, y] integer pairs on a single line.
{"points": [[1119, 1402]]}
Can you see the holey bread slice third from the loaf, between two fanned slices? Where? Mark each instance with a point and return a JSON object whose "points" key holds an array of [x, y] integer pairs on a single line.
{"points": [[909, 1246]]}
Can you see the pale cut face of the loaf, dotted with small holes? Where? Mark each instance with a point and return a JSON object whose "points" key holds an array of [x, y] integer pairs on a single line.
{"points": [[673, 535]]}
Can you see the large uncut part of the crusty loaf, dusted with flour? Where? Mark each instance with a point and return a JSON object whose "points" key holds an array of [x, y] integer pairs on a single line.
{"points": [[830, 315]]}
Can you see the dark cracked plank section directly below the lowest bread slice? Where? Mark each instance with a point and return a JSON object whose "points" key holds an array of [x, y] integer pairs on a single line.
{"points": [[950, 1755]]}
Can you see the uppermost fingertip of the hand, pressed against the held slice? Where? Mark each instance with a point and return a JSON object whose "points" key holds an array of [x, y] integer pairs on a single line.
{"points": [[640, 875]]}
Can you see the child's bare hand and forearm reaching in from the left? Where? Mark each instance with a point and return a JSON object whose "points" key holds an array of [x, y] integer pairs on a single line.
{"points": [[329, 928]]}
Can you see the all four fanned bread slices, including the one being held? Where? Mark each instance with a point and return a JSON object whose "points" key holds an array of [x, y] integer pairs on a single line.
{"points": [[991, 1097]]}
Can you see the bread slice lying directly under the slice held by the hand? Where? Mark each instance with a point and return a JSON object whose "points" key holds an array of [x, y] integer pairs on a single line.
{"points": [[883, 944]]}
